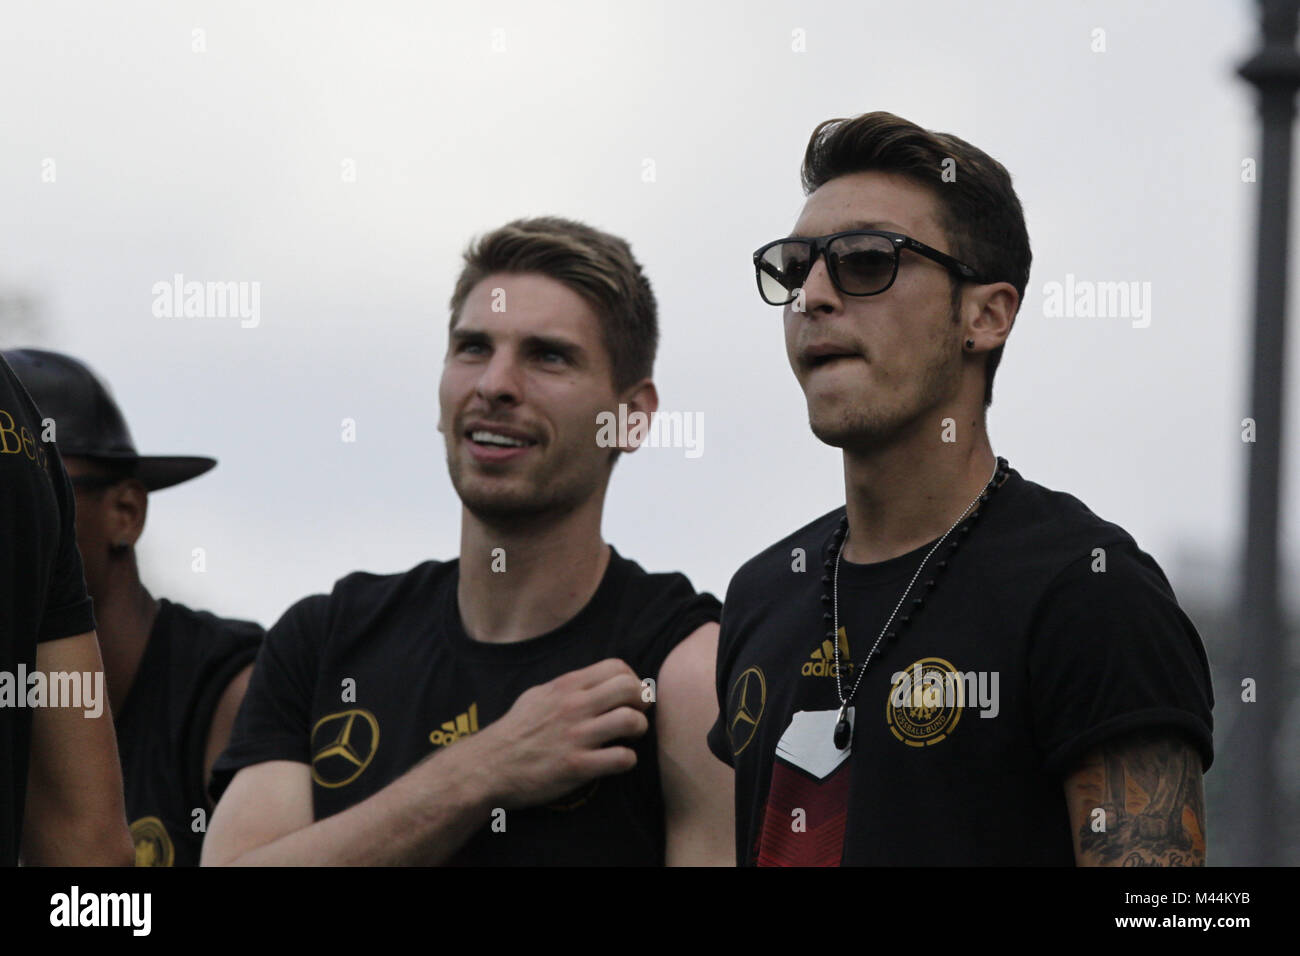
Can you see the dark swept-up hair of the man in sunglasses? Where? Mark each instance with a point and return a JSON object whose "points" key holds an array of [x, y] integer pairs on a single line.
{"points": [[978, 209]]}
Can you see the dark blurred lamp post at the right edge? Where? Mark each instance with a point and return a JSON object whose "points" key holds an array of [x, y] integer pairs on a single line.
{"points": [[1276, 72]]}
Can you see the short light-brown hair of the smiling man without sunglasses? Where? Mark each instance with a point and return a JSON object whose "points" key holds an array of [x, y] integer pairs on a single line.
{"points": [[597, 266]]}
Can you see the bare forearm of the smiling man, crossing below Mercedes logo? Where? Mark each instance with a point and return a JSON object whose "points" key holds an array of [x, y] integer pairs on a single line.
{"points": [[419, 820]]}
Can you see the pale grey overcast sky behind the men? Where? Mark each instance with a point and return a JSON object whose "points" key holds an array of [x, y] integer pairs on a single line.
{"points": [[135, 149]]}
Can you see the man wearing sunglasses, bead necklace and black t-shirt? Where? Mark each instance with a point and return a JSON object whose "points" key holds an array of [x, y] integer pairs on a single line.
{"points": [[959, 667]]}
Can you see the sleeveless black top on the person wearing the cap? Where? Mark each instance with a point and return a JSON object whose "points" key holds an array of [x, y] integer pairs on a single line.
{"points": [[163, 728]]}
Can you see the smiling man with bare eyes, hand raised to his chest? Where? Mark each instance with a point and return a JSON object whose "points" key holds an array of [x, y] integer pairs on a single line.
{"points": [[539, 700]]}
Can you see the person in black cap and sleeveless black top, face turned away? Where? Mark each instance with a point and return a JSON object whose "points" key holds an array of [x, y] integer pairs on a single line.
{"points": [[175, 676]]}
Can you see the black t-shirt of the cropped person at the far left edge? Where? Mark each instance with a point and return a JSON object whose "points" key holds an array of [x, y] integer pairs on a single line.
{"points": [[42, 589]]}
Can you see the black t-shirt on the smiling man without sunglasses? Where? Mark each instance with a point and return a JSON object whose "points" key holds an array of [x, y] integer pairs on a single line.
{"points": [[370, 681]]}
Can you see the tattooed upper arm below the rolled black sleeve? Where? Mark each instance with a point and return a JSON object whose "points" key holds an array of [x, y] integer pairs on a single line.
{"points": [[1150, 789]]}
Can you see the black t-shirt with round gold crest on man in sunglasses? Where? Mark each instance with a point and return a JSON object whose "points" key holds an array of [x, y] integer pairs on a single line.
{"points": [[1024, 657]]}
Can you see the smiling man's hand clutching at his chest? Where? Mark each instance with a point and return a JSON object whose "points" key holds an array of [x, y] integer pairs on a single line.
{"points": [[558, 736]]}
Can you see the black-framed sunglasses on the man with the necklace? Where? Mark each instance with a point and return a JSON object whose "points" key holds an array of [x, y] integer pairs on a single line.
{"points": [[861, 262]]}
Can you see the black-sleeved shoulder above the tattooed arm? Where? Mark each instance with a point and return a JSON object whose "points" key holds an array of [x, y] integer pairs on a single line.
{"points": [[1110, 650]]}
